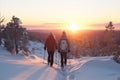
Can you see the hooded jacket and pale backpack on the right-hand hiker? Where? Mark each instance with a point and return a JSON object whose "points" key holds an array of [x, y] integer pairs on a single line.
{"points": [[63, 44]]}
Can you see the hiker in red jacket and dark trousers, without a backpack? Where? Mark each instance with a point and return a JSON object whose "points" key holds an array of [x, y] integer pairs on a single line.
{"points": [[51, 46]]}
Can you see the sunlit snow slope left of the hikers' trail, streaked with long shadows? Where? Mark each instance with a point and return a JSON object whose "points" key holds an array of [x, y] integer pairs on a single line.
{"points": [[18, 67]]}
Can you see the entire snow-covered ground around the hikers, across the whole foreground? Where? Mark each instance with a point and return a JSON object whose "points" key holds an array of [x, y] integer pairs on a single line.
{"points": [[33, 67]]}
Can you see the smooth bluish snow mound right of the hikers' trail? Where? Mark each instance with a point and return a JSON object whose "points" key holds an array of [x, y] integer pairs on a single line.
{"points": [[95, 68]]}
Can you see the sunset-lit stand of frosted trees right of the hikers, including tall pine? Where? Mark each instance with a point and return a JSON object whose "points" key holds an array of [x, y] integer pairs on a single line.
{"points": [[97, 45]]}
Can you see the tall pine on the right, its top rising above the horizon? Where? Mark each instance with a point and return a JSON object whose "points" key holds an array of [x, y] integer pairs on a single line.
{"points": [[109, 39]]}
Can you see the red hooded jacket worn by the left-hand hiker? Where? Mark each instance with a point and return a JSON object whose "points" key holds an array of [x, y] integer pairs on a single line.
{"points": [[50, 43]]}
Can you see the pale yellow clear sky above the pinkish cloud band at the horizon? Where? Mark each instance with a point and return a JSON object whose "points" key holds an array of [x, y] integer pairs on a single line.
{"points": [[82, 12]]}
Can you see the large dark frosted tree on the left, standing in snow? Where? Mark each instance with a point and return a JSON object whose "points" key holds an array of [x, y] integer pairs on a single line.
{"points": [[16, 37]]}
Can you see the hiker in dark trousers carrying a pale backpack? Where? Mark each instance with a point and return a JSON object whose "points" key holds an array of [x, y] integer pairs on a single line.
{"points": [[63, 49]]}
